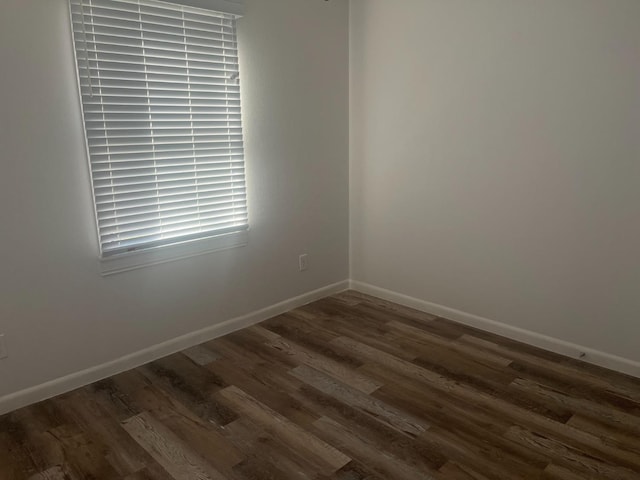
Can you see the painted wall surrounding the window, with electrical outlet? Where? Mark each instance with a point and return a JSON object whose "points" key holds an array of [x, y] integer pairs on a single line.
{"points": [[58, 314]]}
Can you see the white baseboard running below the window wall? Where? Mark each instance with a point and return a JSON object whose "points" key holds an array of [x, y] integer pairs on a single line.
{"points": [[70, 382]]}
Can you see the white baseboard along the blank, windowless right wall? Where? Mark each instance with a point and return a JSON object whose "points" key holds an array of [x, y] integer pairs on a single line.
{"points": [[596, 357]]}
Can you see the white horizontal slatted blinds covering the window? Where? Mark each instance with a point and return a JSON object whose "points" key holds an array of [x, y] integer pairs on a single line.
{"points": [[161, 103]]}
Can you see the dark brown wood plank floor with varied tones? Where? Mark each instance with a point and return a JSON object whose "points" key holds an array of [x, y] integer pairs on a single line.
{"points": [[350, 387]]}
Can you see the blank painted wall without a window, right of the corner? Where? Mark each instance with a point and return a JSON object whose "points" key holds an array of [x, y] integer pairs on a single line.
{"points": [[495, 161]]}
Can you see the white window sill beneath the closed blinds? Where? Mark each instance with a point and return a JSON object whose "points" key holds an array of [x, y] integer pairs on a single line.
{"points": [[169, 253]]}
